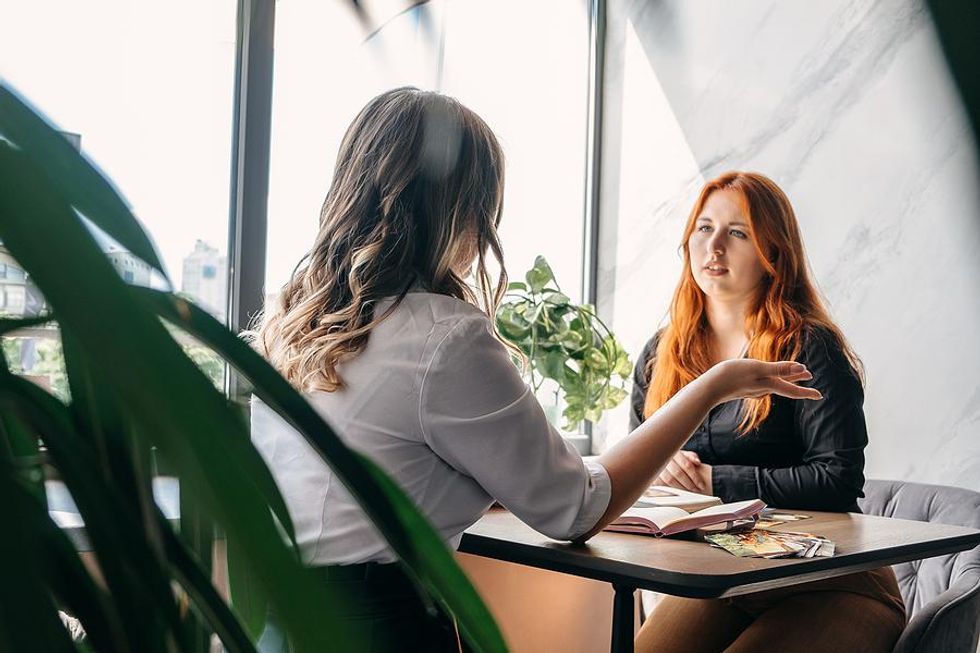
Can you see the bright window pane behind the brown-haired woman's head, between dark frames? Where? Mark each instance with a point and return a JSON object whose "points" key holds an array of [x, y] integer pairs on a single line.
{"points": [[532, 93]]}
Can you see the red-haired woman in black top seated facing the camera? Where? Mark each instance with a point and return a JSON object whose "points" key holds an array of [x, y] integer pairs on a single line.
{"points": [[746, 291]]}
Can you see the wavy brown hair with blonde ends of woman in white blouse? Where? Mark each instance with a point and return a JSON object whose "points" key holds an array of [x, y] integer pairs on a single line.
{"points": [[417, 192]]}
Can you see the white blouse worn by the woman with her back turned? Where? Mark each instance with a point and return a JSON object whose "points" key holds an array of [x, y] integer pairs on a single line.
{"points": [[435, 400]]}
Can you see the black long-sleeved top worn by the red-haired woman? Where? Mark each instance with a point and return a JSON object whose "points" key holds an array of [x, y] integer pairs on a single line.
{"points": [[806, 454]]}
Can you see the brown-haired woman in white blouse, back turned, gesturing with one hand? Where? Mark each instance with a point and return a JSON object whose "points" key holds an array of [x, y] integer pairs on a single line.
{"points": [[380, 329]]}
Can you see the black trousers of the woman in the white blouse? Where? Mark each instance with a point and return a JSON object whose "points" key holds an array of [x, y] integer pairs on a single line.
{"points": [[383, 609]]}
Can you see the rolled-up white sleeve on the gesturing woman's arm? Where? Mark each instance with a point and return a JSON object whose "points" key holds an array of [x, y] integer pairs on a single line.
{"points": [[477, 414]]}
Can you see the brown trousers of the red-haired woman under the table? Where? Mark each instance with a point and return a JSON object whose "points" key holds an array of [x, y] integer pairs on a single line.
{"points": [[859, 613]]}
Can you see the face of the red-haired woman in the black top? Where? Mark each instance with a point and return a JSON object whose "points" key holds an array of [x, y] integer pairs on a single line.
{"points": [[724, 260]]}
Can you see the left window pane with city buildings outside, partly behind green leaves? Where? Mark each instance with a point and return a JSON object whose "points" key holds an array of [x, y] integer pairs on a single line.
{"points": [[145, 90]]}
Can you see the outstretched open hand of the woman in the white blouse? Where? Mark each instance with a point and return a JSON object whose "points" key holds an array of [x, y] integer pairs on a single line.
{"points": [[746, 377]]}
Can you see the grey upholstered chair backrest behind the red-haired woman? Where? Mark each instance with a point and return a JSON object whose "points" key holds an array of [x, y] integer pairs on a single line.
{"points": [[923, 580]]}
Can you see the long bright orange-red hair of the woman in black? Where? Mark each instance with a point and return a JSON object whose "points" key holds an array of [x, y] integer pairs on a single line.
{"points": [[786, 305]]}
